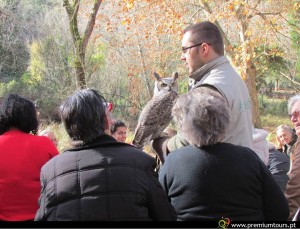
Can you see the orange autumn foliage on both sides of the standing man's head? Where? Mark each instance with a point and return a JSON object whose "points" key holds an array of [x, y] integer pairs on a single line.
{"points": [[145, 34]]}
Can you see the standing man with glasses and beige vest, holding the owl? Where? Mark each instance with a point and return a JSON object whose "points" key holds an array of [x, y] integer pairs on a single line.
{"points": [[203, 55]]}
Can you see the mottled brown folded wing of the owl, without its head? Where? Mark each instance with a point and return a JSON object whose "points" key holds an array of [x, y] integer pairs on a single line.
{"points": [[154, 118]]}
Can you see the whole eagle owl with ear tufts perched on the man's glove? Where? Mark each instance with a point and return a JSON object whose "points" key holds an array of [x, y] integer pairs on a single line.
{"points": [[157, 114]]}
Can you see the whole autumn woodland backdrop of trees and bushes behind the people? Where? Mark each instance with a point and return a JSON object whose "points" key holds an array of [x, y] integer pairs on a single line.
{"points": [[50, 48]]}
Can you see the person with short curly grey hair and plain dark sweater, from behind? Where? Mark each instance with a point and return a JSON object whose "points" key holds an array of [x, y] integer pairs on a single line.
{"points": [[210, 179]]}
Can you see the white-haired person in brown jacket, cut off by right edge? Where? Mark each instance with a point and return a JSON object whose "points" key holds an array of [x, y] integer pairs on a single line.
{"points": [[292, 192]]}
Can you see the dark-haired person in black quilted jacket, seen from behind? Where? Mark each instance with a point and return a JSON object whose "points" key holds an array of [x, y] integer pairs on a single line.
{"points": [[100, 178]]}
